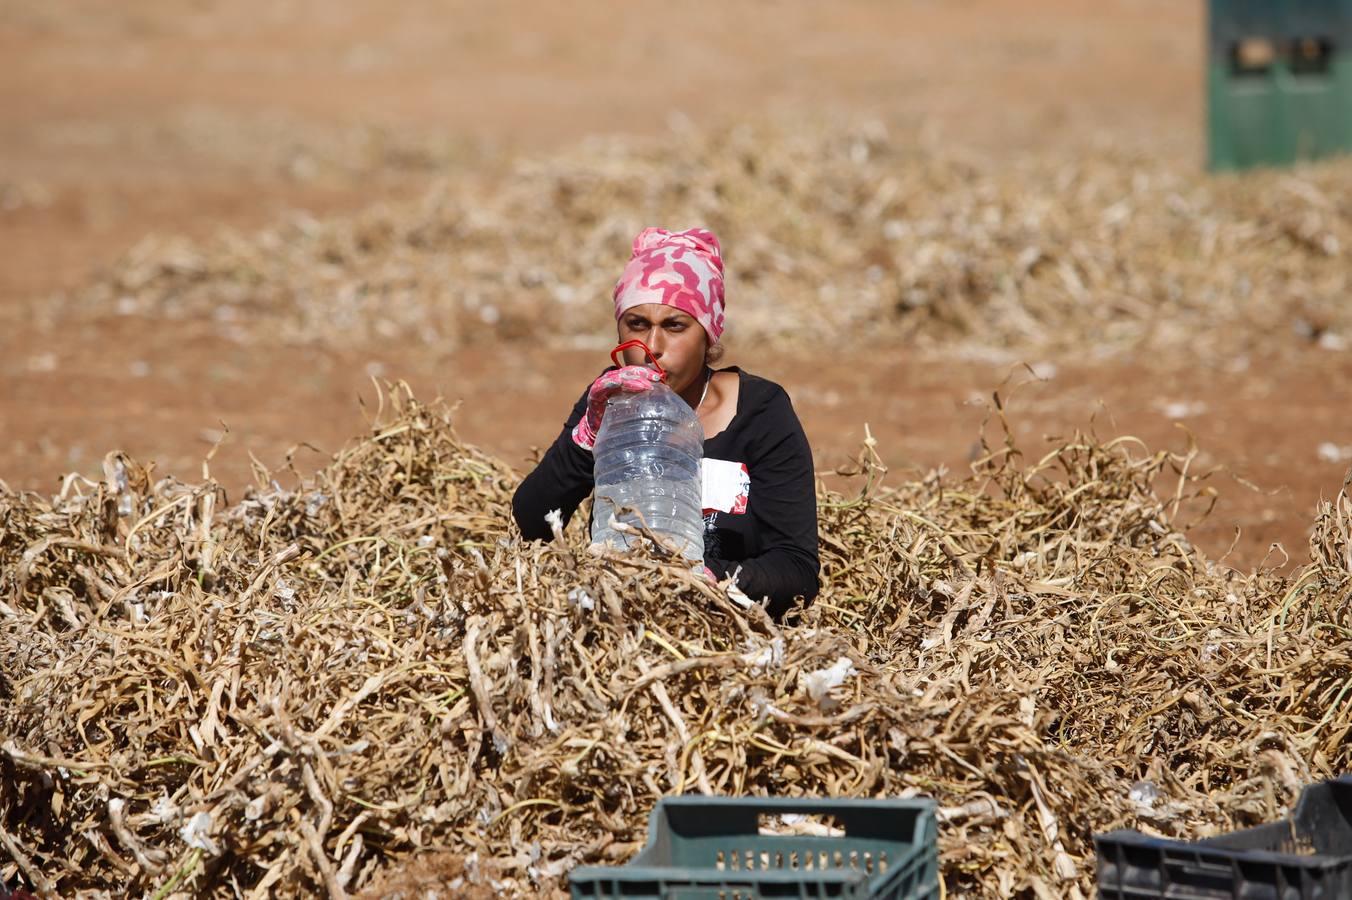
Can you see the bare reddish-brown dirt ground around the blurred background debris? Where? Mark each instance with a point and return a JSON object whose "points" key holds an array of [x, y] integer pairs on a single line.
{"points": [[191, 118]]}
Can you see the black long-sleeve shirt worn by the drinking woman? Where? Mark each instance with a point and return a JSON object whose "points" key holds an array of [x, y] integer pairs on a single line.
{"points": [[760, 498]]}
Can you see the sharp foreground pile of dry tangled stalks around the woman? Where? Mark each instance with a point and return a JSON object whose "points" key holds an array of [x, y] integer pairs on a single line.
{"points": [[317, 689]]}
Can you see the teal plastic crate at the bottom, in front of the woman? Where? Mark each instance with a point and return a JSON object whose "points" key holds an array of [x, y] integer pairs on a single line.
{"points": [[713, 848]]}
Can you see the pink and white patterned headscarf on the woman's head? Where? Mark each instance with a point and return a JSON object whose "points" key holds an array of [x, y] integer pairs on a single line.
{"points": [[682, 270]]}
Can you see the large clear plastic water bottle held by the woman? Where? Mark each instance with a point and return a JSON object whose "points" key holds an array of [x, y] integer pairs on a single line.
{"points": [[647, 457]]}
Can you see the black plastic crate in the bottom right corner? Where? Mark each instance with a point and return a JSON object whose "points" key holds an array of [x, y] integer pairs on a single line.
{"points": [[1307, 857]]}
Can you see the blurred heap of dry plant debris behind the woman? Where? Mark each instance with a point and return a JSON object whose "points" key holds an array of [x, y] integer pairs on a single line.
{"points": [[834, 230]]}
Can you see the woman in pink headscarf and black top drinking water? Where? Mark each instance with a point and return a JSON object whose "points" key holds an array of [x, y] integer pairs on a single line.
{"points": [[760, 502]]}
